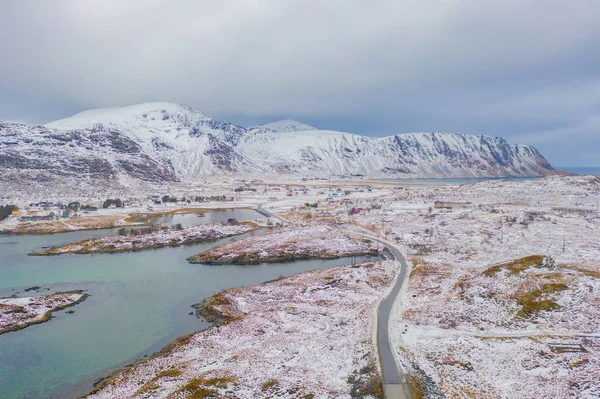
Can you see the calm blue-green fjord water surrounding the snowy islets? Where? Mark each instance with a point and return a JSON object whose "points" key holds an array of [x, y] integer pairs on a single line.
{"points": [[139, 302]]}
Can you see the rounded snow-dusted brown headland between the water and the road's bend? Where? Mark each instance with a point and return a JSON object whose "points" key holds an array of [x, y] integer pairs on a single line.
{"points": [[297, 242]]}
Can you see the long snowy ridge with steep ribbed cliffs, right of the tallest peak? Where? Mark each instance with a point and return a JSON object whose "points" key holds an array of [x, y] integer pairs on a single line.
{"points": [[412, 154]]}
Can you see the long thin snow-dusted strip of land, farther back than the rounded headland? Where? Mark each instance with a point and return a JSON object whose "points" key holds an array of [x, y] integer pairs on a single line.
{"points": [[140, 240]]}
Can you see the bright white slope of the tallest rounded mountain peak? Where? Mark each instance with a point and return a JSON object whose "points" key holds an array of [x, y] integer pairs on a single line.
{"points": [[194, 143]]}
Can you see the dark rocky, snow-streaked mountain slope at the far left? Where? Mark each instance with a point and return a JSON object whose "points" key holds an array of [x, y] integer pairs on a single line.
{"points": [[78, 153]]}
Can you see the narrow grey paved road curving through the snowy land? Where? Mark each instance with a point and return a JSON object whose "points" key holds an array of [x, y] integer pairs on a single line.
{"points": [[395, 383]]}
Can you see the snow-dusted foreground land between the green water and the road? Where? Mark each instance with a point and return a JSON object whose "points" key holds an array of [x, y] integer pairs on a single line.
{"points": [[307, 336]]}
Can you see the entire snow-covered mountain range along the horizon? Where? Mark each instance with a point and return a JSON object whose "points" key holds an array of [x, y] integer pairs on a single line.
{"points": [[169, 142]]}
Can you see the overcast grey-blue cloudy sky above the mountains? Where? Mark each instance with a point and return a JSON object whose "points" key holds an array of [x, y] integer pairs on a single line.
{"points": [[528, 71]]}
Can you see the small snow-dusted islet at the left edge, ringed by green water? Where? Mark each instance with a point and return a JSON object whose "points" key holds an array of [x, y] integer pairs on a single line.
{"points": [[17, 313]]}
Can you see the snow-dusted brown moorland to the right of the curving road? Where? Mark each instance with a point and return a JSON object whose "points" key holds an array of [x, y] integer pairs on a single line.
{"points": [[475, 323]]}
